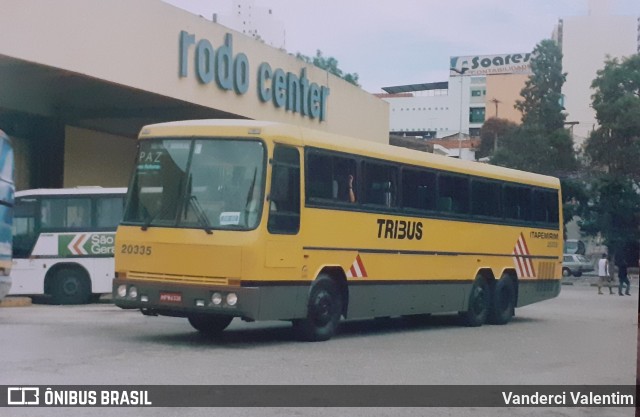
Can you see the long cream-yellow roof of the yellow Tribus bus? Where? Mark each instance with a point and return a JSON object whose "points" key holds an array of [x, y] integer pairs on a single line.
{"points": [[297, 135]]}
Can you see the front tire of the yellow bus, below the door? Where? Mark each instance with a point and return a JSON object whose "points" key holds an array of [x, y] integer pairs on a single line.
{"points": [[324, 309]]}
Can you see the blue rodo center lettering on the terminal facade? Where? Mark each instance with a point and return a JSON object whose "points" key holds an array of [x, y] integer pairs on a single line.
{"points": [[292, 92]]}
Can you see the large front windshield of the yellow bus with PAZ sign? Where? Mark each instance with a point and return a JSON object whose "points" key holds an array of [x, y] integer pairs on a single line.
{"points": [[203, 183]]}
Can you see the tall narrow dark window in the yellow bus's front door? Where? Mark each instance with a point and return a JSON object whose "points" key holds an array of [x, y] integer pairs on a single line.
{"points": [[284, 214]]}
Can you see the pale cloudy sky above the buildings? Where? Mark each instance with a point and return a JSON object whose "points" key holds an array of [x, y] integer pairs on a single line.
{"points": [[398, 42]]}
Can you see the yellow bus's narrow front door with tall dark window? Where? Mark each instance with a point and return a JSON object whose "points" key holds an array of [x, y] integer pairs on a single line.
{"points": [[284, 249]]}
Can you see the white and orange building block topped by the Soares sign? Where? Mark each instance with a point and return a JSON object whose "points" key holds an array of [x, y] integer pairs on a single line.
{"points": [[479, 87]]}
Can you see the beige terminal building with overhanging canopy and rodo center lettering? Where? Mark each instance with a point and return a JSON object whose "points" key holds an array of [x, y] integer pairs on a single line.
{"points": [[81, 77]]}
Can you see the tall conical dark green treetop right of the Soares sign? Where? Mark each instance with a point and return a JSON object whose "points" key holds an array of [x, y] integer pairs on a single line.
{"points": [[542, 95]]}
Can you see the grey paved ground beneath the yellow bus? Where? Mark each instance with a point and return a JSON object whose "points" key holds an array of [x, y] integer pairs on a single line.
{"points": [[577, 338]]}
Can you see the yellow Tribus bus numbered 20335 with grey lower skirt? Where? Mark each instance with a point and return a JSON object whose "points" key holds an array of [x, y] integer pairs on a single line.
{"points": [[267, 221]]}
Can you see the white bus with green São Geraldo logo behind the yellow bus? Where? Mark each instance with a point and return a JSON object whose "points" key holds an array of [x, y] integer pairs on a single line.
{"points": [[63, 242]]}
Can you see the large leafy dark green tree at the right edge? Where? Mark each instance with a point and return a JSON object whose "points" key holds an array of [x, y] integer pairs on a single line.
{"points": [[613, 154]]}
